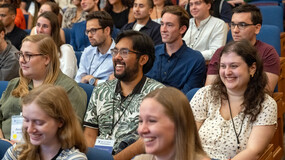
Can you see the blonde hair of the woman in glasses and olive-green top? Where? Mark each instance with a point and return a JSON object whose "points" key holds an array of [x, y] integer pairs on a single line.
{"points": [[48, 48]]}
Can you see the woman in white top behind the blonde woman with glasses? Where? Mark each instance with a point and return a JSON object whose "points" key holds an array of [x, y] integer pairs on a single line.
{"points": [[47, 24]]}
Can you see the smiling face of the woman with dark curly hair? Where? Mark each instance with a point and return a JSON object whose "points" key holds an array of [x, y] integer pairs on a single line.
{"points": [[234, 72]]}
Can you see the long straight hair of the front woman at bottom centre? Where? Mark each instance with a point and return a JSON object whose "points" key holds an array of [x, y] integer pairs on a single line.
{"points": [[177, 108]]}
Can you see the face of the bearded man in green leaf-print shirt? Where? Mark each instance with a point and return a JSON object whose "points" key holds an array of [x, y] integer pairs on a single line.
{"points": [[125, 69]]}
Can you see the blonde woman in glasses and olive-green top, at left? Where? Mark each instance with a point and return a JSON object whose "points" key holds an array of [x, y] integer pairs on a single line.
{"points": [[39, 64]]}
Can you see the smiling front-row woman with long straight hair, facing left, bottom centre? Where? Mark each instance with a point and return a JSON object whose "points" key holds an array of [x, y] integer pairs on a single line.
{"points": [[167, 126]]}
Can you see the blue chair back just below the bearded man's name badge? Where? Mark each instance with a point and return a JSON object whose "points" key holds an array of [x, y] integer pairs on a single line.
{"points": [[96, 154]]}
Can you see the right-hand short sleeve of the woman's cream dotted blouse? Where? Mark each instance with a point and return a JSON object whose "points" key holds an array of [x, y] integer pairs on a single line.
{"points": [[268, 113]]}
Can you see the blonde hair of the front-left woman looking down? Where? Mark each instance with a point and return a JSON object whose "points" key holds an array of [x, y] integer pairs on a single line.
{"points": [[53, 100]]}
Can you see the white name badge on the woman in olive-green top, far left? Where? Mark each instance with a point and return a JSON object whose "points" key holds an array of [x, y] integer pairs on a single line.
{"points": [[16, 128]]}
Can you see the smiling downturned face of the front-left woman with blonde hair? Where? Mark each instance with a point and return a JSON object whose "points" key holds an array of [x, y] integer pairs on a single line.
{"points": [[41, 128]]}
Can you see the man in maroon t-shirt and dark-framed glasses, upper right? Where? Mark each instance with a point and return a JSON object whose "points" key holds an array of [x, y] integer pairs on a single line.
{"points": [[246, 23]]}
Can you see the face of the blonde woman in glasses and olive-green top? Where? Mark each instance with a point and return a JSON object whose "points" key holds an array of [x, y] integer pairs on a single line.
{"points": [[36, 68]]}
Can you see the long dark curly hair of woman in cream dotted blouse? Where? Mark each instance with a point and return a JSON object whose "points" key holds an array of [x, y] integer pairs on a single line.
{"points": [[254, 94]]}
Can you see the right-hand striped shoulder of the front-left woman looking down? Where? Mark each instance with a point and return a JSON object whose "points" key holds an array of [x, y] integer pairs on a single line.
{"points": [[72, 154]]}
